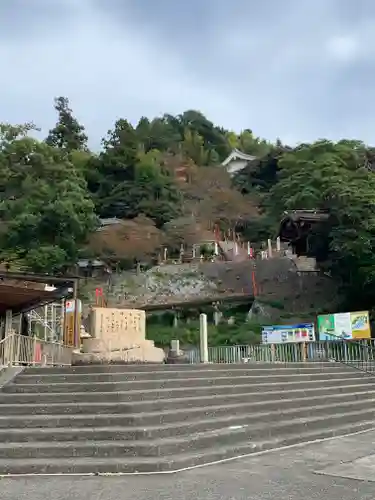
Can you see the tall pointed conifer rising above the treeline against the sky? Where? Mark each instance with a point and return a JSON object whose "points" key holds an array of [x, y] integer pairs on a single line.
{"points": [[68, 134]]}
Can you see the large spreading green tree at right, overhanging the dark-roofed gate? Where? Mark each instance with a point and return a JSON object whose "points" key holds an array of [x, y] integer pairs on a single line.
{"points": [[335, 177]]}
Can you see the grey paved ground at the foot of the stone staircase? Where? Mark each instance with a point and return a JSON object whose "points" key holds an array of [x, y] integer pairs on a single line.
{"points": [[337, 469]]}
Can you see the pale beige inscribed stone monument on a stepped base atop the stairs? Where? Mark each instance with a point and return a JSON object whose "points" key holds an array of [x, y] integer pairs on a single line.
{"points": [[118, 335]]}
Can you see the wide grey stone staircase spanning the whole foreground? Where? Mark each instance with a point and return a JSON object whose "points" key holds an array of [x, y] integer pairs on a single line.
{"points": [[146, 418]]}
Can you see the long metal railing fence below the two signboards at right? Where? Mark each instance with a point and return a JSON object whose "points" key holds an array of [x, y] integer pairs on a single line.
{"points": [[359, 353]]}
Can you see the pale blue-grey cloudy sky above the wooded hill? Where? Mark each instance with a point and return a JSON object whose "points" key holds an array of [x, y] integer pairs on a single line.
{"points": [[294, 69]]}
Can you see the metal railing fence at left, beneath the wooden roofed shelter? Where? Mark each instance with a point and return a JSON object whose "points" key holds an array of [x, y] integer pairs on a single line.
{"points": [[18, 349]]}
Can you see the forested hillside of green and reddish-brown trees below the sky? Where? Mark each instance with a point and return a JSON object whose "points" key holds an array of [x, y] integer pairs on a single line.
{"points": [[163, 178]]}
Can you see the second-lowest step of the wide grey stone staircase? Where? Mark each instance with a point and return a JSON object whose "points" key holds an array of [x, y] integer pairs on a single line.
{"points": [[225, 436]]}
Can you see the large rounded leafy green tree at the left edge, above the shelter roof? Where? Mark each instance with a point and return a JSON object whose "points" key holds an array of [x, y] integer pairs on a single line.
{"points": [[44, 204]]}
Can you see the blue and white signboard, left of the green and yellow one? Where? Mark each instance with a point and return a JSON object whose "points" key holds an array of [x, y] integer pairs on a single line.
{"points": [[280, 334]]}
